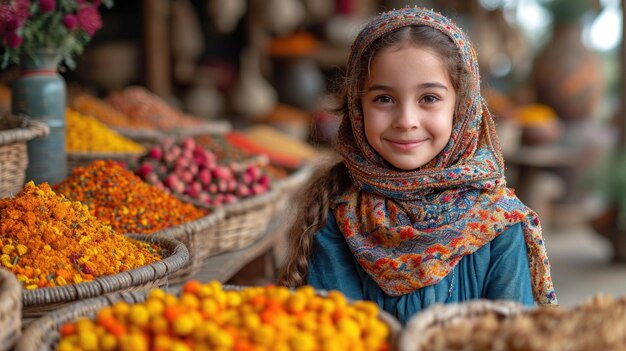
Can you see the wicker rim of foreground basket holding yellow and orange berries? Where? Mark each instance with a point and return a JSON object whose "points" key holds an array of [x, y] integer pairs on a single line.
{"points": [[43, 334]]}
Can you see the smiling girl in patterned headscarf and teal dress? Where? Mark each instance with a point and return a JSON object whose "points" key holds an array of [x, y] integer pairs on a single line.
{"points": [[417, 212]]}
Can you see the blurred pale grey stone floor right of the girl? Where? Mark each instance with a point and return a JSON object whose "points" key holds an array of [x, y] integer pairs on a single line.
{"points": [[581, 266]]}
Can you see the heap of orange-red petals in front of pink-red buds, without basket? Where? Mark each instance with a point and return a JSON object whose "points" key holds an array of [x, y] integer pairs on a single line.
{"points": [[122, 200]]}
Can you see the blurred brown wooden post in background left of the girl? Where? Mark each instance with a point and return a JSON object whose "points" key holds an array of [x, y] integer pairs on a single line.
{"points": [[157, 47]]}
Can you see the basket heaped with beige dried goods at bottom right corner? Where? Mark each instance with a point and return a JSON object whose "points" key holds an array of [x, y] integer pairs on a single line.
{"points": [[596, 324]]}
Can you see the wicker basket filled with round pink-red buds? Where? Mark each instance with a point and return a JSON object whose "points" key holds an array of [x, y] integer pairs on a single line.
{"points": [[242, 189]]}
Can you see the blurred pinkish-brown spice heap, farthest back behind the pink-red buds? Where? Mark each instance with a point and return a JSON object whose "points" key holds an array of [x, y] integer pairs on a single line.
{"points": [[144, 106]]}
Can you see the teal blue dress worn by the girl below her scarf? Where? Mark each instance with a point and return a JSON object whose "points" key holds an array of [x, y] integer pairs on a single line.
{"points": [[498, 270]]}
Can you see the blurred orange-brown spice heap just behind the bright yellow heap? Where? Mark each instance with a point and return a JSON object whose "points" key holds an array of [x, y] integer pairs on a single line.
{"points": [[105, 113]]}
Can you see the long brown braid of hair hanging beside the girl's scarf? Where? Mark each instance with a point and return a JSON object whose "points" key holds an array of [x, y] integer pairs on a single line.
{"points": [[314, 204]]}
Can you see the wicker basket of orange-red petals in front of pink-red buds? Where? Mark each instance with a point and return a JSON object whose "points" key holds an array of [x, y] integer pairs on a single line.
{"points": [[121, 199]]}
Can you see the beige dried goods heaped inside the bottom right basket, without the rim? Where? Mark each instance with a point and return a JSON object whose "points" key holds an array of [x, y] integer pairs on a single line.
{"points": [[597, 324]]}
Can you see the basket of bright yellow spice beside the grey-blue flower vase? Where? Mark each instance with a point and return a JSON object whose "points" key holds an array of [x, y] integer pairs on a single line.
{"points": [[87, 140]]}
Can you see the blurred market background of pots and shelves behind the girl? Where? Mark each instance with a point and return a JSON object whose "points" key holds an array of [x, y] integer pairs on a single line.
{"points": [[552, 73]]}
